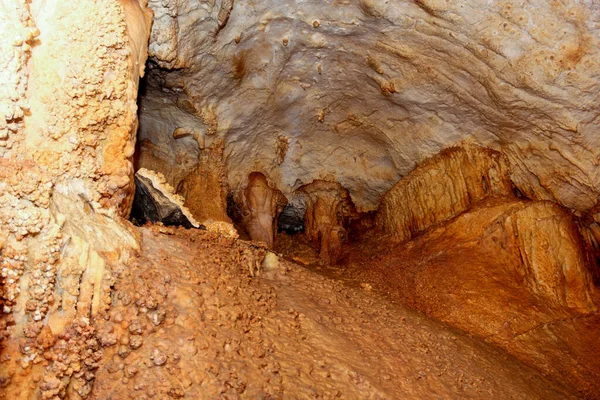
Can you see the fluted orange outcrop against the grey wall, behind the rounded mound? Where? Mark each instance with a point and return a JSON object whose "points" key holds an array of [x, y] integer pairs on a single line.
{"points": [[441, 188]]}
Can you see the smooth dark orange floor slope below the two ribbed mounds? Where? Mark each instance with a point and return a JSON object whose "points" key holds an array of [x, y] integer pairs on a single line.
{"points": [[470, 285]]}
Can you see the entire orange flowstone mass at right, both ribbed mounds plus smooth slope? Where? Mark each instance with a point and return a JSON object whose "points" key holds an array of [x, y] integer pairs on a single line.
{"points": [[452, 241]]}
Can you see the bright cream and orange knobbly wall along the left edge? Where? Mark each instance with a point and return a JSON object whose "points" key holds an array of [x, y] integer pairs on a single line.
{"points": [[69, 81]]}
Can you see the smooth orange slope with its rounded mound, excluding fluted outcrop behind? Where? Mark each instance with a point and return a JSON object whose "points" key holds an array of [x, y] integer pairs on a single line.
{"points": [[512, 272]]}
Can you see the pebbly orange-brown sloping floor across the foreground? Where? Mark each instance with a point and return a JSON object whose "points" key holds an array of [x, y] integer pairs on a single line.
{"points": [[196, 320]]}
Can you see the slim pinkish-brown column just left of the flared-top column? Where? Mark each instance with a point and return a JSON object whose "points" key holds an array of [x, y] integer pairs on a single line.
{"points": [[261, 206]]}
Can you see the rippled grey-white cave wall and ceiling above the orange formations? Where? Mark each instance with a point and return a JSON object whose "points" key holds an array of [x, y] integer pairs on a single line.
{"points": [[365, 89]]}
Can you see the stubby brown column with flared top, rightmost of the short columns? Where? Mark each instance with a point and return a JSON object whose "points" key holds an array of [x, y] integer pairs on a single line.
{"points": [[328, 208]]}
